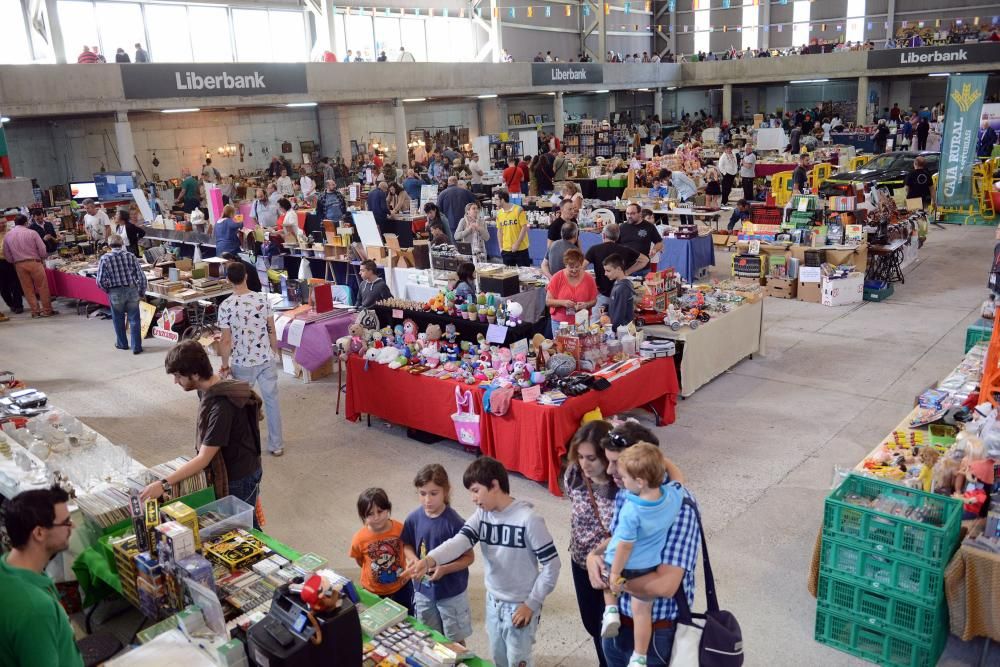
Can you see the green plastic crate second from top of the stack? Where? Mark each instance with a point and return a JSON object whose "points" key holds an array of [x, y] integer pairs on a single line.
{"points": [[881, 573]]}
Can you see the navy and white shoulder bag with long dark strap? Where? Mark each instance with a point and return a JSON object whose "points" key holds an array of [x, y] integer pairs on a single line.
{"points": [[712, 639]]}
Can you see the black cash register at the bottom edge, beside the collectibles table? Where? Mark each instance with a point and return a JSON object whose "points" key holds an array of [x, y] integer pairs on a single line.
{"points": [[292, 635]]}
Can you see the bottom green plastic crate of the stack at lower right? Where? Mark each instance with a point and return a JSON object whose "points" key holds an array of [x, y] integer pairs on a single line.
{"points": [[856, 638]]}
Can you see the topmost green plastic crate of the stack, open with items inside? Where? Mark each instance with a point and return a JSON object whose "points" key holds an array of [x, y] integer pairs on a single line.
{"points": [[932, 541]]}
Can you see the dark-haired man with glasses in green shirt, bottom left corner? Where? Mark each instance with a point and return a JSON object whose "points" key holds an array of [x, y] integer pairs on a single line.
{"points": [[34, 628]]}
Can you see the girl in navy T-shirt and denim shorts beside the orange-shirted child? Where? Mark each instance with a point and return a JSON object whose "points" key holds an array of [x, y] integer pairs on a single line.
{"points": [[440, 599]]}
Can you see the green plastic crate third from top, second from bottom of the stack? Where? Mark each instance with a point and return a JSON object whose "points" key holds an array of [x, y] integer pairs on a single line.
{"points": [[880, 611]]}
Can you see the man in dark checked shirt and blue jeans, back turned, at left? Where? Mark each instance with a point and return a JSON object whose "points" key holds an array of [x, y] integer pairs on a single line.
{"points": [[120, 275]]}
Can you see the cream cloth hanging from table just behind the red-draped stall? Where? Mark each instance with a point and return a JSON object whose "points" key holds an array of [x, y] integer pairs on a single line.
{"points": [[715, 347]]}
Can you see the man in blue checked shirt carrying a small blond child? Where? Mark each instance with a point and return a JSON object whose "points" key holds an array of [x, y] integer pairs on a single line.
{"points": [[678, 556]]}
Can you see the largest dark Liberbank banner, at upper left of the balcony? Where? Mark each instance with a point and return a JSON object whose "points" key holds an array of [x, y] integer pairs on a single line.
{"points": [[150, 80]]}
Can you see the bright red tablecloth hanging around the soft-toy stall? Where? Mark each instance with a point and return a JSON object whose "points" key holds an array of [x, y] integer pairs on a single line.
{"points": [[531, 438]]}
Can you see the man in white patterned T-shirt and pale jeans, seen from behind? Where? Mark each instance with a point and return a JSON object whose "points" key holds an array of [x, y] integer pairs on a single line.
{"points": [[249, 347]]}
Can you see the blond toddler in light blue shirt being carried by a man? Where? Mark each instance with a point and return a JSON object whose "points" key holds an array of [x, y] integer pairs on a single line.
{"points": [[650, 508]]}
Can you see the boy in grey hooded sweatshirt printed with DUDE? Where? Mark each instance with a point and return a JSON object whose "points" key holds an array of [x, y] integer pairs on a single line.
{"points": [[521, 561]]}
